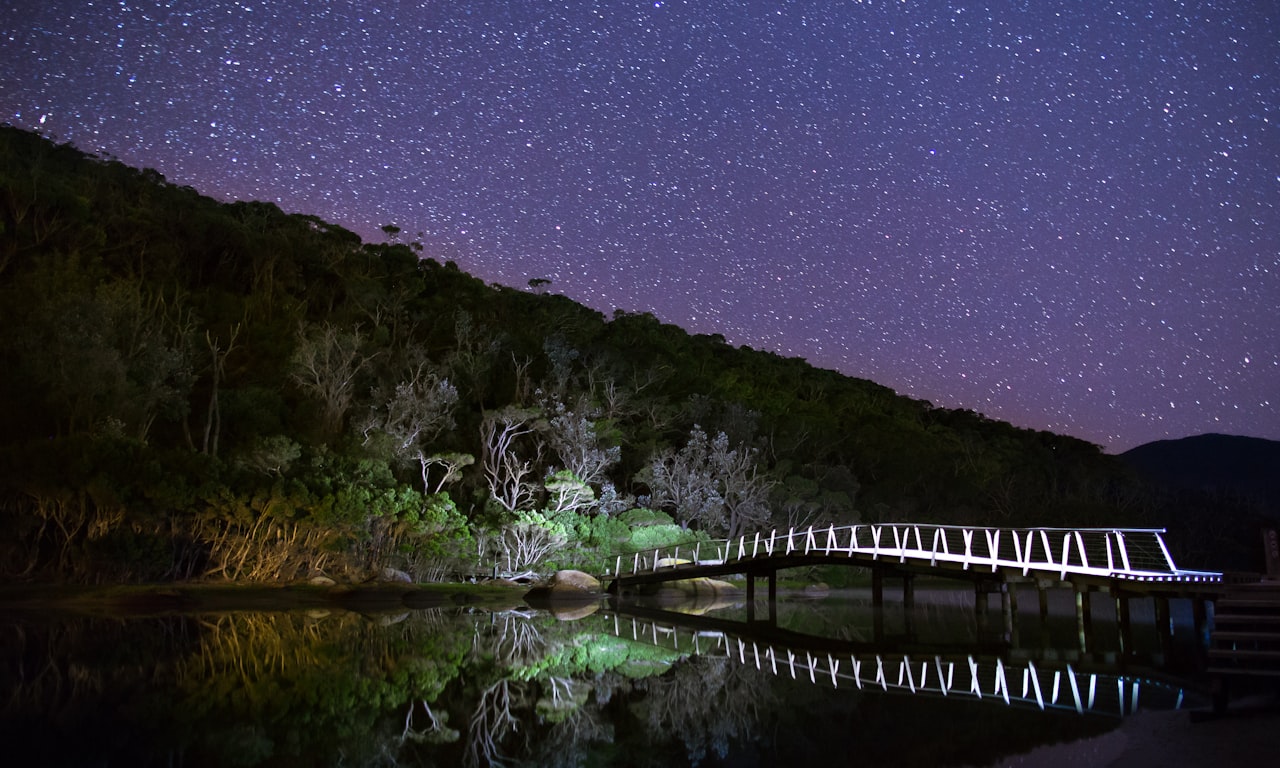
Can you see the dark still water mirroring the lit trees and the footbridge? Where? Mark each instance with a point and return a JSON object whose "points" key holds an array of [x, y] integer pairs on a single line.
{"points": [[830, 680]]}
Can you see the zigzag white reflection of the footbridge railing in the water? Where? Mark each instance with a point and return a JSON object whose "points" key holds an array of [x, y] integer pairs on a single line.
{"points": [[959, 674]]}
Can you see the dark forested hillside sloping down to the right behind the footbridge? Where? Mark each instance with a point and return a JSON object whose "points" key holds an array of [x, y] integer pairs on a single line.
{"points": [[200, 390]]}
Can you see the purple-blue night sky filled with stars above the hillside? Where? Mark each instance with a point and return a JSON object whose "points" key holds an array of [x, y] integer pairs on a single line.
{"points": [[1060, 214]]}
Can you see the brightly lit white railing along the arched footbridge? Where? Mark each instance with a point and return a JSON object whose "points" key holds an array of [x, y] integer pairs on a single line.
{"points": [[1139, 555]]}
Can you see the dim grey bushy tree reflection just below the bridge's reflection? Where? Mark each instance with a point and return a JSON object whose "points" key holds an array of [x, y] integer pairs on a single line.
{"points": [[707, 703]]}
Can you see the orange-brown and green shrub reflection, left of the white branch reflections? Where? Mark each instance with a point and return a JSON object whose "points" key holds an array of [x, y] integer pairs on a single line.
{"points": [[318, 687]]}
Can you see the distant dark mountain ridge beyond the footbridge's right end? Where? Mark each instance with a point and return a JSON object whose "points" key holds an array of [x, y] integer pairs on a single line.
{"points": [[1214, 464]]}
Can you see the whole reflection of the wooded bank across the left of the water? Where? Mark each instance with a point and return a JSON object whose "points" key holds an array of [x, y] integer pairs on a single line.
{"points": [[286, 688]]}
